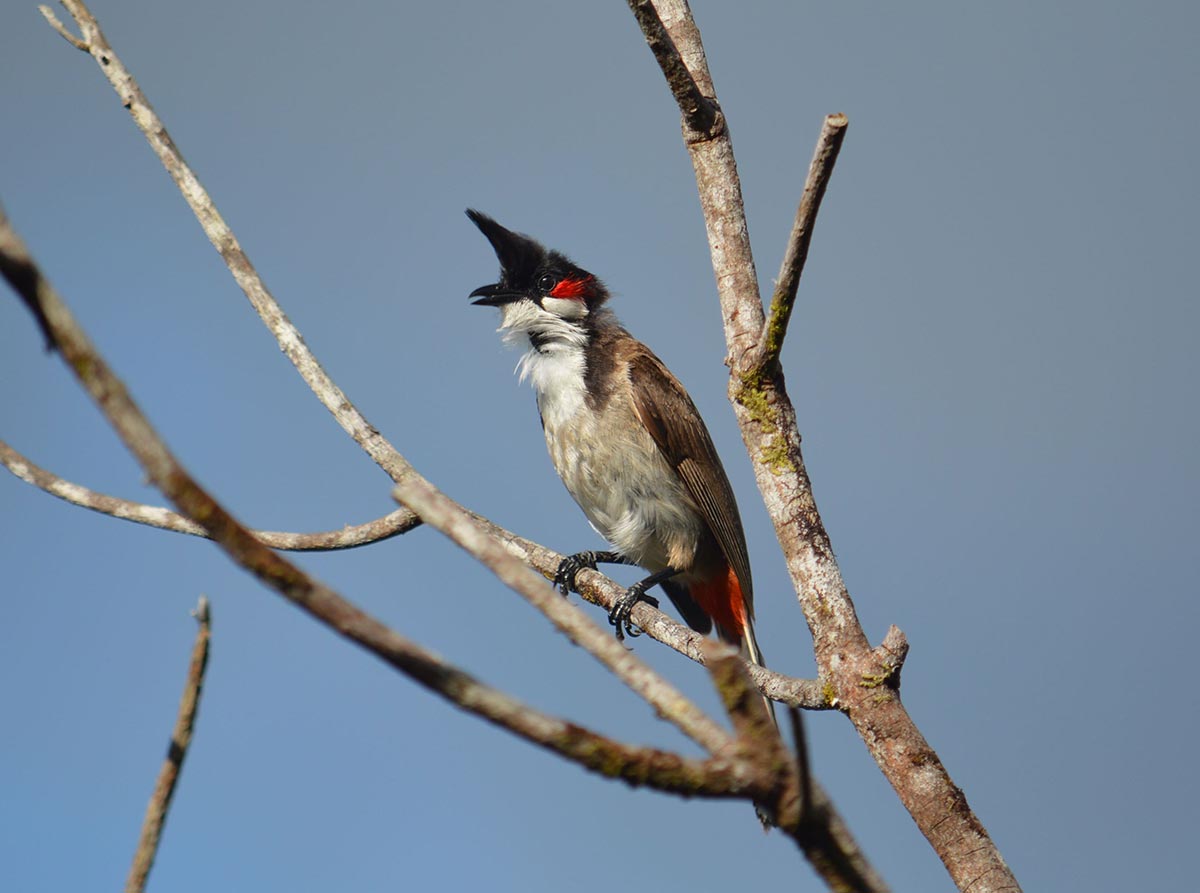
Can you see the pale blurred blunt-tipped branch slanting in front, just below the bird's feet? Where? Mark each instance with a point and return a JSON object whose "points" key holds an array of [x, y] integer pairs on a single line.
{"points": [[441, 513]]}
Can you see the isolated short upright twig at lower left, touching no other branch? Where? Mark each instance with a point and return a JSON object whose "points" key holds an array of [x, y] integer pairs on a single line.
{"points": [[181, 740]]}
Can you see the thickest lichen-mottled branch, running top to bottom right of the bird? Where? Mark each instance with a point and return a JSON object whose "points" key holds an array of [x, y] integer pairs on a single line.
{"points": [[861, 680]]}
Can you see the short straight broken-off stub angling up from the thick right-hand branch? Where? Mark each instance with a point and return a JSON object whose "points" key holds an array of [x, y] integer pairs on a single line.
{"points": [[833, 133]]}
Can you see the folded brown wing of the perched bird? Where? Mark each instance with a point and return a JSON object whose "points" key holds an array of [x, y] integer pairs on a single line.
{"points": [[674, 422]]}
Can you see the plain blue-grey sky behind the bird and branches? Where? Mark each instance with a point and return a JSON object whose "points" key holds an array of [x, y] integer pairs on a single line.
{"points": [[994, 361]]}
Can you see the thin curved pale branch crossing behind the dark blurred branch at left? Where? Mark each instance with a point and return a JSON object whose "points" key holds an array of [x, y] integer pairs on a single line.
{"points": [[350, 537]]}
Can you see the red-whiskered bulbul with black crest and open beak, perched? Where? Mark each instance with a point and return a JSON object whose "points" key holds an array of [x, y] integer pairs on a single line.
{"points": [[627, 441]]}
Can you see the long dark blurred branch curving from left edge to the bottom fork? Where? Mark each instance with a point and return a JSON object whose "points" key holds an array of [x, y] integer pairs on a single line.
{"points": [[717, 777]]}
